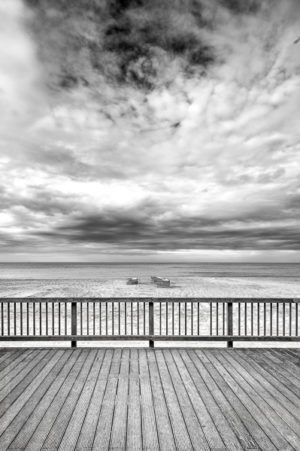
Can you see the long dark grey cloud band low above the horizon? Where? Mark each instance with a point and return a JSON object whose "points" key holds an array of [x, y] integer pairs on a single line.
{"points": [[140, 230]]}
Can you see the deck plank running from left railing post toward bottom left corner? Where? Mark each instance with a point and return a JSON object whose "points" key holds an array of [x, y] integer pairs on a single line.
{"points": [[23, 437]]}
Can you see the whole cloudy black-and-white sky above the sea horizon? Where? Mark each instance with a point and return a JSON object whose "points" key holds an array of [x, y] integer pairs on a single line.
{"points": [[150, 131]]}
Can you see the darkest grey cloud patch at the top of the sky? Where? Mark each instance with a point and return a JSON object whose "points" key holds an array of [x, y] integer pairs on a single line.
{"points": [[126, 42]]}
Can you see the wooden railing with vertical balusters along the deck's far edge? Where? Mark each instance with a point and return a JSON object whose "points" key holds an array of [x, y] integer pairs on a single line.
{"points": [[159, 319]]}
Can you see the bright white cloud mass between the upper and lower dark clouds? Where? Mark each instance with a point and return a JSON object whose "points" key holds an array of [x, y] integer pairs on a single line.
{"points": [[220, 146]]}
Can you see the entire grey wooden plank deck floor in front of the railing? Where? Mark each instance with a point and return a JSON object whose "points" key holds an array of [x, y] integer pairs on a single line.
{"points": [[143, 399]]}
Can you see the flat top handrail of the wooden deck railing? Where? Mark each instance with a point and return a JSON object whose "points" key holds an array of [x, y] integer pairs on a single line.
{"points": [[149, 299]]}
